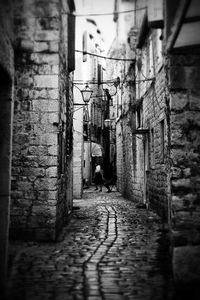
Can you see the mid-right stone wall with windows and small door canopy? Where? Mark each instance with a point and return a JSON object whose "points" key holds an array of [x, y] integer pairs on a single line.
{"points": [[152, 115]]}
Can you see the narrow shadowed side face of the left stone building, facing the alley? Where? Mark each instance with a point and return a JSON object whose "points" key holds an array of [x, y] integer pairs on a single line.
{"points": [[65, 142]]}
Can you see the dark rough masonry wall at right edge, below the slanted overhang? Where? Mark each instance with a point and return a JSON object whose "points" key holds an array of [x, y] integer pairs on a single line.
{"points": [[184, 72]]}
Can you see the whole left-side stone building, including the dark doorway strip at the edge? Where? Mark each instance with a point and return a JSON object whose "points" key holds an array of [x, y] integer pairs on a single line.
{"points": [[36, 61]]}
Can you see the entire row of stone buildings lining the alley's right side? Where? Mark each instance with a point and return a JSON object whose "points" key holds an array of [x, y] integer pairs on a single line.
{"points": [[158, 132]]}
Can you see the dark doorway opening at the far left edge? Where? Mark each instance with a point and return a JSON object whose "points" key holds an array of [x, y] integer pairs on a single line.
{"points": [[6, 115]]}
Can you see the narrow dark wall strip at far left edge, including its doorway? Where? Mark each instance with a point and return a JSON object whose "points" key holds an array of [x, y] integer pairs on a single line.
{"points": [[6, 116]]}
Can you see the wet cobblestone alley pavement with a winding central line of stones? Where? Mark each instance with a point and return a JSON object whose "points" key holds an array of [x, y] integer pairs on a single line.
{"points": [[111, 250]]}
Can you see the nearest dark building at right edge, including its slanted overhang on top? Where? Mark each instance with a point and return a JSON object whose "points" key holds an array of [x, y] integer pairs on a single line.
{"points": [[183, 65]]}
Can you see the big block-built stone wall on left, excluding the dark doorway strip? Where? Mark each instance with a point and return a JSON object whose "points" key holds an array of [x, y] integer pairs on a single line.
{"points": [[40, 168]]}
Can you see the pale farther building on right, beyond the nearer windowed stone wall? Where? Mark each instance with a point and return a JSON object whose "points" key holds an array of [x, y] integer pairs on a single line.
{"points": [[123, 48]]}
